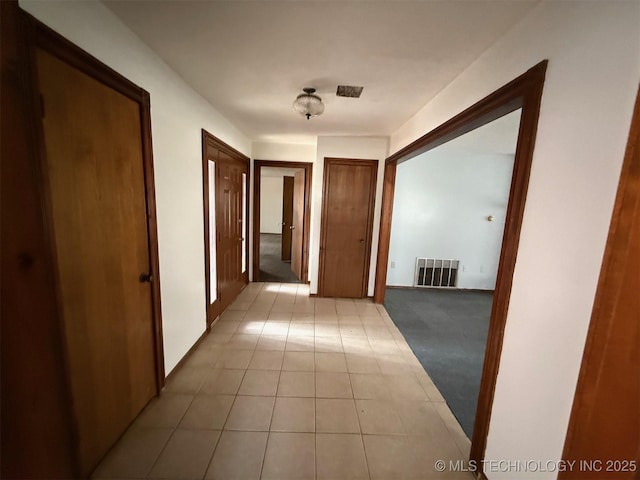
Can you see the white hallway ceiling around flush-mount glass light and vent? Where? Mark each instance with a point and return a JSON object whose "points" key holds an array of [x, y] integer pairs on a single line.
{"points": [[250, 59]]}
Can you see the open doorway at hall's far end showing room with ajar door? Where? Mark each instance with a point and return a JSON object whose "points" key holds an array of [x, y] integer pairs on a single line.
{"points": [[281, 221]]}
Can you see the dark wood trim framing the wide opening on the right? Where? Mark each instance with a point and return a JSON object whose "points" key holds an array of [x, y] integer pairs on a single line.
{"points": [[523, 92]]}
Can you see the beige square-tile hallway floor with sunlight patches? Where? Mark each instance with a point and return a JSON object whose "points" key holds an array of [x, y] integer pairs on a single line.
{"points": [[291, 387]]}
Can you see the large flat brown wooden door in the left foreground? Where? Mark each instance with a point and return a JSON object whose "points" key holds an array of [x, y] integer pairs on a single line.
{"points": [[95, 180]]}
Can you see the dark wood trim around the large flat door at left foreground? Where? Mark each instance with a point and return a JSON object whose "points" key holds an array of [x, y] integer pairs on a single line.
{"points": [[42, 37]]}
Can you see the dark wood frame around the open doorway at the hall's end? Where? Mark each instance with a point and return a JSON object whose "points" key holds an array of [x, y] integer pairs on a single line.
{"points": [[308, 172]]}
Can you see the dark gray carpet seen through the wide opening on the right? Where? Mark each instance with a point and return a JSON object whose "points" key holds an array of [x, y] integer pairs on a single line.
{"points": [[447, 331]]}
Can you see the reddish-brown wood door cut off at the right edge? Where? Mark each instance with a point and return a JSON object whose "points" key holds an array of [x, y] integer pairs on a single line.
{"points": [[605, 420]]}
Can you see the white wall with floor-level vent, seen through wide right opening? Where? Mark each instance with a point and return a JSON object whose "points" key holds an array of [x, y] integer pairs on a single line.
{"points": [[443, 198]]}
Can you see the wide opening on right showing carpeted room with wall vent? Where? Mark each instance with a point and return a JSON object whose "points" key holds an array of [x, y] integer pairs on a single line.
{"points": [[446, 235]]}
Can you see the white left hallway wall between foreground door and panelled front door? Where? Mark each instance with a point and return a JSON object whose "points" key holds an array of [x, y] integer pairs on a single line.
{"points": [[177, 116]]}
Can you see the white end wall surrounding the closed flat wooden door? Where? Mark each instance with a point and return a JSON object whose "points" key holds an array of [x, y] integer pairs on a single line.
{"points": [[365, 148]]}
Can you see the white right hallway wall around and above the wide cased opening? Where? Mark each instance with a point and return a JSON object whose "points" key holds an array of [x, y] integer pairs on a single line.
{"points": [[591, 83]]}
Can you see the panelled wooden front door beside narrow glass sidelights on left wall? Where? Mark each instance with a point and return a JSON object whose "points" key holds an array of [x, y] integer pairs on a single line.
{"points": [[231, 178]]}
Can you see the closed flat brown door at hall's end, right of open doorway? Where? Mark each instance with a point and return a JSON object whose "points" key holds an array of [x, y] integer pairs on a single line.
{"points": [[347, 225]]}
